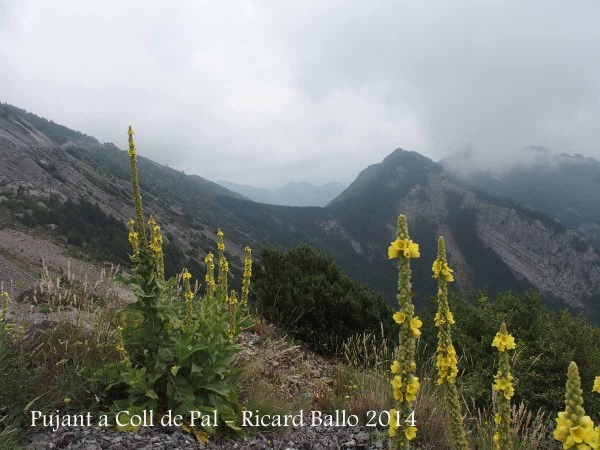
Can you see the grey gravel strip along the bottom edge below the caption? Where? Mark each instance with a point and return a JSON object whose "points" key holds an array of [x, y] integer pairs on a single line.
{"points": [[302, 438]]}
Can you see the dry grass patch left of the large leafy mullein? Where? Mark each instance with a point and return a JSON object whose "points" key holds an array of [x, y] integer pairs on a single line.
{"points": [[48, 366]]}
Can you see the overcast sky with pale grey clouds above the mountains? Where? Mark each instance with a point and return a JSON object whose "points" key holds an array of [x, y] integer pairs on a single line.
{"points": [[267, 92]]}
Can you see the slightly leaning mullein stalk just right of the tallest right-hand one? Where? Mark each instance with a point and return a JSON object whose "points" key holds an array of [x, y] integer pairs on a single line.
{"points": [[446, 362]]}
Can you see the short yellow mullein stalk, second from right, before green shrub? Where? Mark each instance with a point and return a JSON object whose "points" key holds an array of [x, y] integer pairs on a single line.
{"points": [[503, 386]]}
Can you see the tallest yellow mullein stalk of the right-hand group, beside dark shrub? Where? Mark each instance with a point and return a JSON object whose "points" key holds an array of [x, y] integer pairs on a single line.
{"points": [[405, 383]]}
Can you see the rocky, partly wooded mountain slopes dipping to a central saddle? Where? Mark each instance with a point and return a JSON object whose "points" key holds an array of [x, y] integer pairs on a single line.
{"points": [[494, 244]]}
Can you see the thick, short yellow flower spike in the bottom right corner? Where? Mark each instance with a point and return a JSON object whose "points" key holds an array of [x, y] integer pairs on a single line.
{"points": [[573, 428]]}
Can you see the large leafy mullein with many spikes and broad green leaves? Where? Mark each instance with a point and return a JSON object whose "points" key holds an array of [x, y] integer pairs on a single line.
{"points": [[174, 356]]}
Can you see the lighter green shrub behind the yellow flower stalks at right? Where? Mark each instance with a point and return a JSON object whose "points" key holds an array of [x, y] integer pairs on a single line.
{"points": [[548, 339]]}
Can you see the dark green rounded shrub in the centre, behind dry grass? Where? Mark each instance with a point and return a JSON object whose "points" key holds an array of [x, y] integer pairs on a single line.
{"points": [[306, 293]]}
